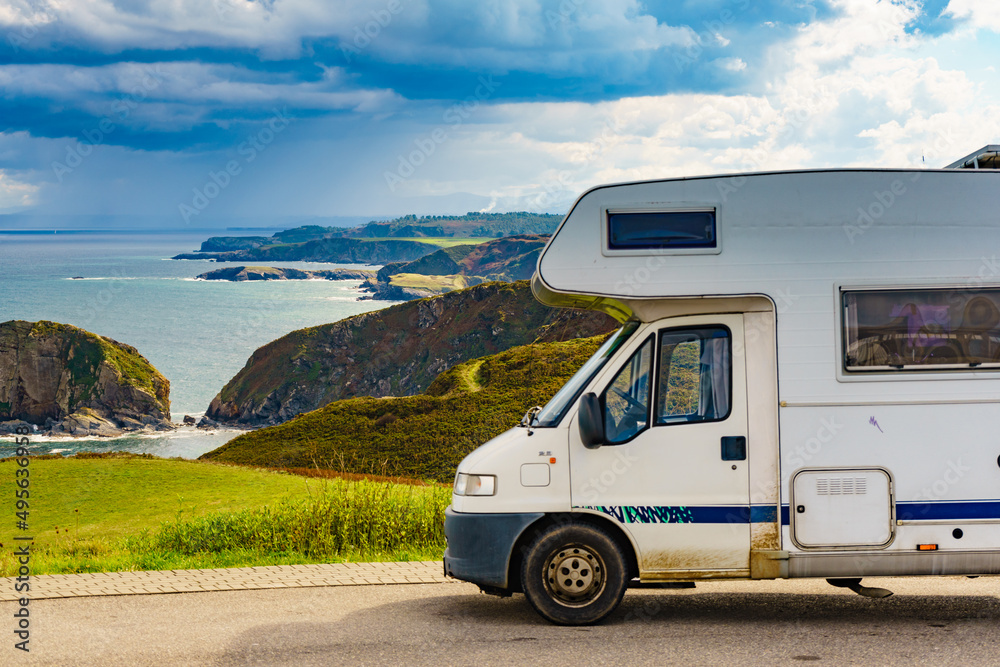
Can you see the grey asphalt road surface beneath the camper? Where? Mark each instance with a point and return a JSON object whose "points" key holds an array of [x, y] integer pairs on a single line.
{"points": [[947, 621]]}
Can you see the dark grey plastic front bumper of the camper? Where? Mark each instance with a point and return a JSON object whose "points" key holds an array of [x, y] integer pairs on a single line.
{"points": [[480, 545]]}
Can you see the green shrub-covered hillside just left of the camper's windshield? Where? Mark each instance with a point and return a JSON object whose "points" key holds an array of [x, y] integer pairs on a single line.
{"points": [[423, 436]]}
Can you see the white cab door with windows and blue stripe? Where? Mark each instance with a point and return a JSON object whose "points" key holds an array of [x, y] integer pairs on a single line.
{"points": [[674, 472]]}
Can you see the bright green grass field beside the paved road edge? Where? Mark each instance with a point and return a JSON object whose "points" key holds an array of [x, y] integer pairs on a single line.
{"points": [[132, 513]]}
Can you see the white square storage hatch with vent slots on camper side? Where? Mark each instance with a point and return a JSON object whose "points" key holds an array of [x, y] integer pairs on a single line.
{"points": [[841, 508]]}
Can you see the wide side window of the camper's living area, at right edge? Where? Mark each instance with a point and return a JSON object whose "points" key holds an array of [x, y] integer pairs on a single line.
{"points": [[921, 329]]}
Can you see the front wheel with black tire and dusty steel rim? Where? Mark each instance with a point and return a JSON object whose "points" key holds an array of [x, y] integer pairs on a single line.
{"points": [[574, 574]]}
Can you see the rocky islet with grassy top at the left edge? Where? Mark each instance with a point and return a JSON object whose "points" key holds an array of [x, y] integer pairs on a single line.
{"points": [[68, 380]]}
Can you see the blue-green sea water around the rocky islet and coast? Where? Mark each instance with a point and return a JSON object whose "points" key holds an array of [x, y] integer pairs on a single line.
{"points": [[198, 333]]}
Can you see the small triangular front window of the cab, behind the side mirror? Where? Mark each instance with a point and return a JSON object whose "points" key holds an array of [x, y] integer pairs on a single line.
{"points": [[626, 399]]}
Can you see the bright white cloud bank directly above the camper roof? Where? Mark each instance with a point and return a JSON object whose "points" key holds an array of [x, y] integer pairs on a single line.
{"points": [[847, 91]]}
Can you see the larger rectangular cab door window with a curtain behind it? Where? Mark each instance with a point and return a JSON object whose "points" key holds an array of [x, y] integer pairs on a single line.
{"points": [[695, 380]]}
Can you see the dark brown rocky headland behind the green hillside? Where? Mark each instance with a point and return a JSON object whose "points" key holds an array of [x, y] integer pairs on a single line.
{"points": [[393, 352]]}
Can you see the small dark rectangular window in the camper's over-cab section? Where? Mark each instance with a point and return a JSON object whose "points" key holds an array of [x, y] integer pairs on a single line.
{"points": [[661, 230]]}
